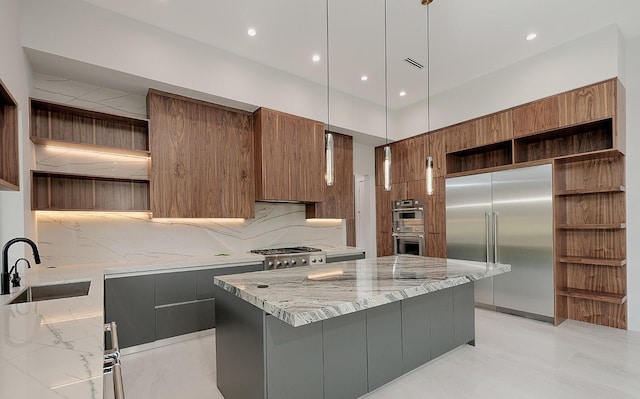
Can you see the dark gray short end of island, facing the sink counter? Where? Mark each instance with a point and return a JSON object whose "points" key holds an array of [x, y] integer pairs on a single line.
{"points": [[240, 364]]}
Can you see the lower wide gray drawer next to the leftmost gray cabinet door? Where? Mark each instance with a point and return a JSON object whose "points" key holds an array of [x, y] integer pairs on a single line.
{"points": [[173, 320]]}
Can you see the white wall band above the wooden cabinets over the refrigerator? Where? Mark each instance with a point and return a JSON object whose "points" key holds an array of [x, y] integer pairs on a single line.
{"points": [[586, 60]]}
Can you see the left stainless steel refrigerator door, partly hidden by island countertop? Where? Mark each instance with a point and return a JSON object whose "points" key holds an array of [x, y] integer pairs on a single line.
{"points": [[468, 225]]}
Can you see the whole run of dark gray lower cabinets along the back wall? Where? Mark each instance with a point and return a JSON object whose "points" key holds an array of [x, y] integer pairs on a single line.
{"points": [[158, 306]]}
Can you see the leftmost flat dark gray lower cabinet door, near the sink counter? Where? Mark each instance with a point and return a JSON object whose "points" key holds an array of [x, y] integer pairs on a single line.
{"points": [[130, 302]]}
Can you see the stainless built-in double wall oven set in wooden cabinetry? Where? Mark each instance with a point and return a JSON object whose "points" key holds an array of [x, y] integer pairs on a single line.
{"points": [[408, 227]]}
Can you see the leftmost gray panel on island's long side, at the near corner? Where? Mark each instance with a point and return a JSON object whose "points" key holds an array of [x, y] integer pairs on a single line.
{"points": [[294, 360]]}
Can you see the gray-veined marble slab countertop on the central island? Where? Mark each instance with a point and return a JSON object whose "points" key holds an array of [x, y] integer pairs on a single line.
{"points": [[304, 295]]}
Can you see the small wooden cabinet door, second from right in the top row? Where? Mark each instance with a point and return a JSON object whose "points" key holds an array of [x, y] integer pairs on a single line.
{"points": [[537, 116]]}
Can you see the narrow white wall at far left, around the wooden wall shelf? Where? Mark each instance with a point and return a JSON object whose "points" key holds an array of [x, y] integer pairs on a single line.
{"points": [[15, 216]]}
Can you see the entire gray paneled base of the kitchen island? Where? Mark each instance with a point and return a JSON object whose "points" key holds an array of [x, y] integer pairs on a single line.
{"points": [[261, 356]]}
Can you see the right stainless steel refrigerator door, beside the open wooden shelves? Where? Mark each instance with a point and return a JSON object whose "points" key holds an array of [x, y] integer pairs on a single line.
{"points": [[523, 223]]}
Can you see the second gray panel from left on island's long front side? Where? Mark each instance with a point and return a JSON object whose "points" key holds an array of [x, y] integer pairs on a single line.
{"points": [[345, 356]]}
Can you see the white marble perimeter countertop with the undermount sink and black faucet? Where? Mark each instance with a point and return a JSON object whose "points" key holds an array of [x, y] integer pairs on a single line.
{"points": [[53, 349]]}
